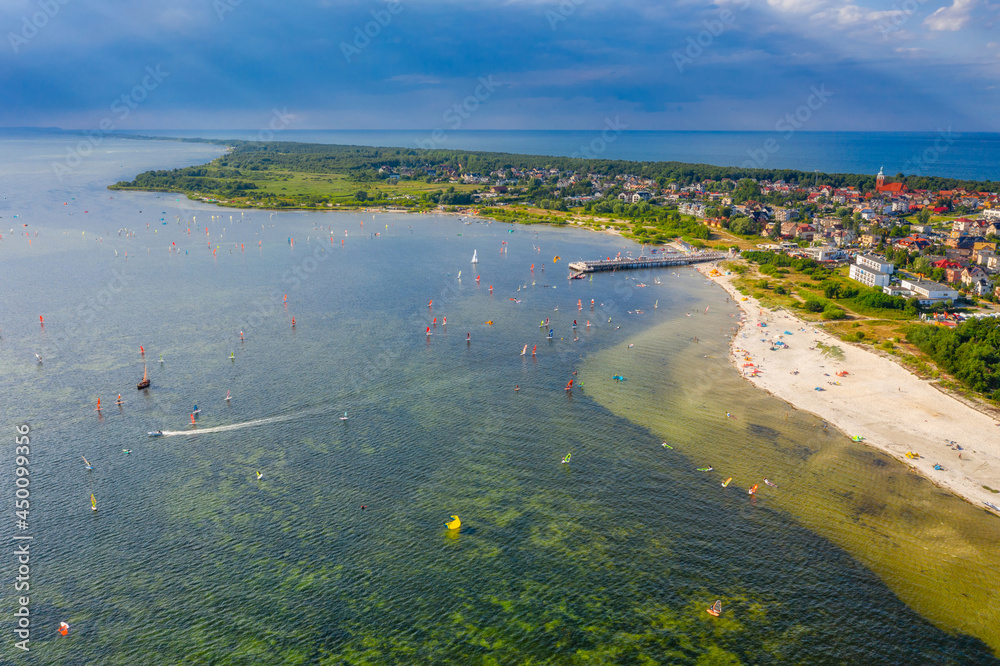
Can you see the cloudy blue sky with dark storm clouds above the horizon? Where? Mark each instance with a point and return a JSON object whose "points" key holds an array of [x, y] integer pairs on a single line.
{"points": [[815, 65]]}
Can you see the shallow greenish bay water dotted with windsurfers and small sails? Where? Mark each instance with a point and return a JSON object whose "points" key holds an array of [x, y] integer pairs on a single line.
{"points": [[457, 403]]}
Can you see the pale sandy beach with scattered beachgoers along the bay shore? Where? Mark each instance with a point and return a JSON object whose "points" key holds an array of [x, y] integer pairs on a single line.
{"points": [[892, 409]]}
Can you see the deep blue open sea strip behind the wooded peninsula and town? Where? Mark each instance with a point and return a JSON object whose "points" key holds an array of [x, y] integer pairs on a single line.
{"points": [[942, 153]]}
